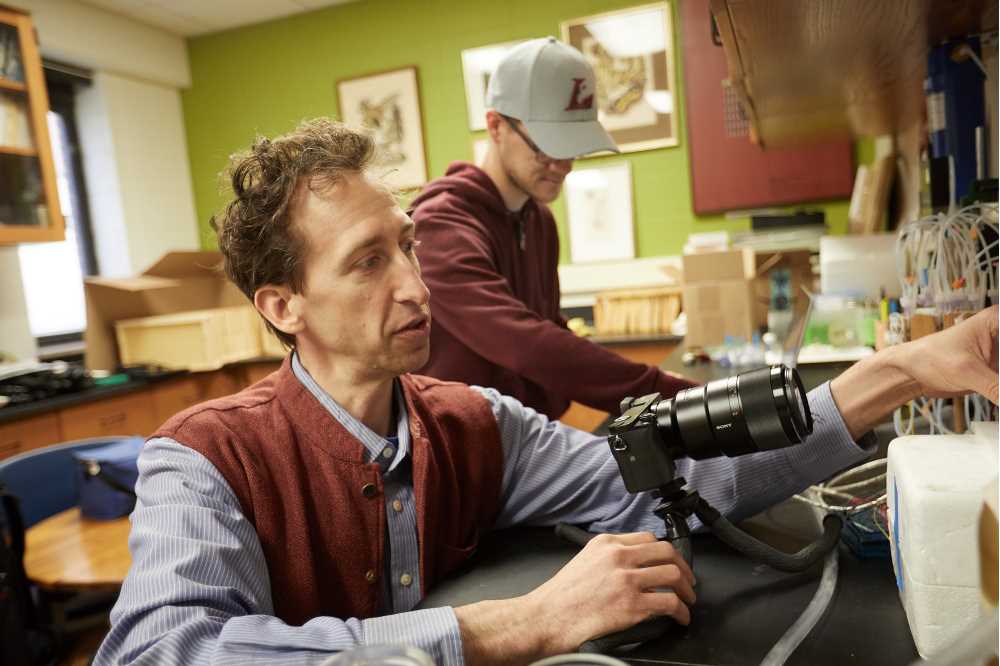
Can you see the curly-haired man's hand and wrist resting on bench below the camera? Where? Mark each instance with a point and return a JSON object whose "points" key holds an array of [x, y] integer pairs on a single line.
{"points": [[612, 584]]}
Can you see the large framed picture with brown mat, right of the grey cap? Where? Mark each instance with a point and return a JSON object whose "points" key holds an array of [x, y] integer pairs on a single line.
{"points": [[632, 53]]}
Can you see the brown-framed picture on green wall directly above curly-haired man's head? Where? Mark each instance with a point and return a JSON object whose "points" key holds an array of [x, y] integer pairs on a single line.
{"points": [[388, 104]]}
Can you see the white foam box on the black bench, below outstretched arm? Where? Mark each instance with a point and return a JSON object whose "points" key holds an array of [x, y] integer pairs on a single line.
{"points": [[935, 486]]}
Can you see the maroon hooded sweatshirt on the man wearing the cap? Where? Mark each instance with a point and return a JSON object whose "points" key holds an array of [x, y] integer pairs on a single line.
{"points": [[495, 302]]}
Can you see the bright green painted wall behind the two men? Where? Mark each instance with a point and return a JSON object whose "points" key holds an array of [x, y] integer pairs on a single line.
{"points": [[265, 78]]}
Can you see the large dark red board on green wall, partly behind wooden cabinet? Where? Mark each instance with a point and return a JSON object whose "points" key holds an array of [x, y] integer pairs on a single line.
{"points": [[728, 172]]}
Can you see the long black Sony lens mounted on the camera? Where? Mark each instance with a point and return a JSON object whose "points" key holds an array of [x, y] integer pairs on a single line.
{"points": [[754, 411]]}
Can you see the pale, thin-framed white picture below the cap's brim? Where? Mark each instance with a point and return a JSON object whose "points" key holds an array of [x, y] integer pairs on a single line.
{"points": [[599, 210]]}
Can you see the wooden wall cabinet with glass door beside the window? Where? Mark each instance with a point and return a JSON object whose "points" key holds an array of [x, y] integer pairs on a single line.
{"points": [[29, 202]]}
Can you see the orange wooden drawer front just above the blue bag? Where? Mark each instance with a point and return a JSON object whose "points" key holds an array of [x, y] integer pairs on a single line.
{"points": [[130, 414]]}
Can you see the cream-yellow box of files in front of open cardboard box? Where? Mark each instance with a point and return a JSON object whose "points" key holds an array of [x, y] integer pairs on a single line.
{"points": [[194, 340]]}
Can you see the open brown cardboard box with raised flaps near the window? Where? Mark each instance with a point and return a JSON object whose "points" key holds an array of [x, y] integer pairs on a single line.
{"points": [[178, 282]]}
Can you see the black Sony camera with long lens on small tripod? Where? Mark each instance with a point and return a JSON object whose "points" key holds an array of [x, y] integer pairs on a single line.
{"points": [[753, 411]]}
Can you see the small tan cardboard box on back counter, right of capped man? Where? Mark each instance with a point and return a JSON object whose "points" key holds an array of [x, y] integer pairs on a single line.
{"points": [[717, 309]]}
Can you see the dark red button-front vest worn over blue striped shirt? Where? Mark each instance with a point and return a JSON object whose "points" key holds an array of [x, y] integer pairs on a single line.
{"points": [[318, 508]]}
